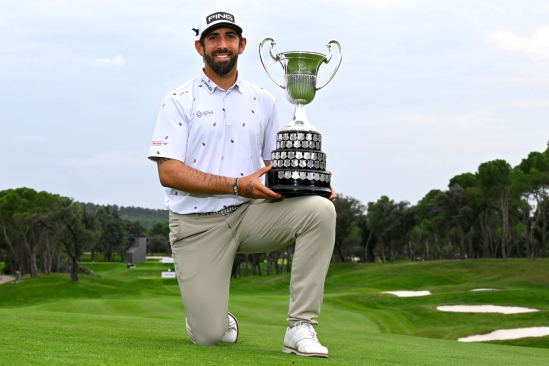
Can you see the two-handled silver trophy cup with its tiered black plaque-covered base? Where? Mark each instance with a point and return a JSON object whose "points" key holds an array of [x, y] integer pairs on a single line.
{"points": [[299, 165]]}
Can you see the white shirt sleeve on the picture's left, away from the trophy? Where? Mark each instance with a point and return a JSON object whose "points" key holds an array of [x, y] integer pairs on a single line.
{"points": [[171, 132]]}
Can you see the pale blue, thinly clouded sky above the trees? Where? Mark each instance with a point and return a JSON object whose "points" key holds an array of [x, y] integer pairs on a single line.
{"points": [[427, 89]]}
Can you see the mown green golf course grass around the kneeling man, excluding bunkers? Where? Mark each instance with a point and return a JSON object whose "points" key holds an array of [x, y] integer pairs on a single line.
{"points": [[132, 317]]}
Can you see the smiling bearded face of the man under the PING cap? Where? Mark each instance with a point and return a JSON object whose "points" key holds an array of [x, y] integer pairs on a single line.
{"points": [[221, 49]]}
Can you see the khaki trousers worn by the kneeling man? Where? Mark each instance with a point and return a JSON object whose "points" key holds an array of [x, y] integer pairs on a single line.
{"points": [[204, 248]]}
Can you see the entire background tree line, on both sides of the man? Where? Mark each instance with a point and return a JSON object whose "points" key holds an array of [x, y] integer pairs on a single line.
{"points": [[499, 211]]}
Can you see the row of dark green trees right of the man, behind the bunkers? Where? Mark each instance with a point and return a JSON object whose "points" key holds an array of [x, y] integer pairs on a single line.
{"points": [[499, 211]]}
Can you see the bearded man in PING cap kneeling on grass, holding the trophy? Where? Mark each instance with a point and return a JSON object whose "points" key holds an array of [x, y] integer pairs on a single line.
{"points": [[209, 140]]}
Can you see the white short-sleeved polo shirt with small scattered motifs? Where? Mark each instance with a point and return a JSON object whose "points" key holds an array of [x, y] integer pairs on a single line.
{"points": [[227, 133]]}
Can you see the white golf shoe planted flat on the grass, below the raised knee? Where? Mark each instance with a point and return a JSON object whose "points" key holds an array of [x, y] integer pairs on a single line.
{"points": [[301, 340]]}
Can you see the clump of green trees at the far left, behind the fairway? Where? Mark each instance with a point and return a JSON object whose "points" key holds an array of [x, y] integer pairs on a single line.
{"points": [[44, 232]]}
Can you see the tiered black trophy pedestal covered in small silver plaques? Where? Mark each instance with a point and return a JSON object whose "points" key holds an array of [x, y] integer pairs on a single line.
{"points": [[299, 165]]}
